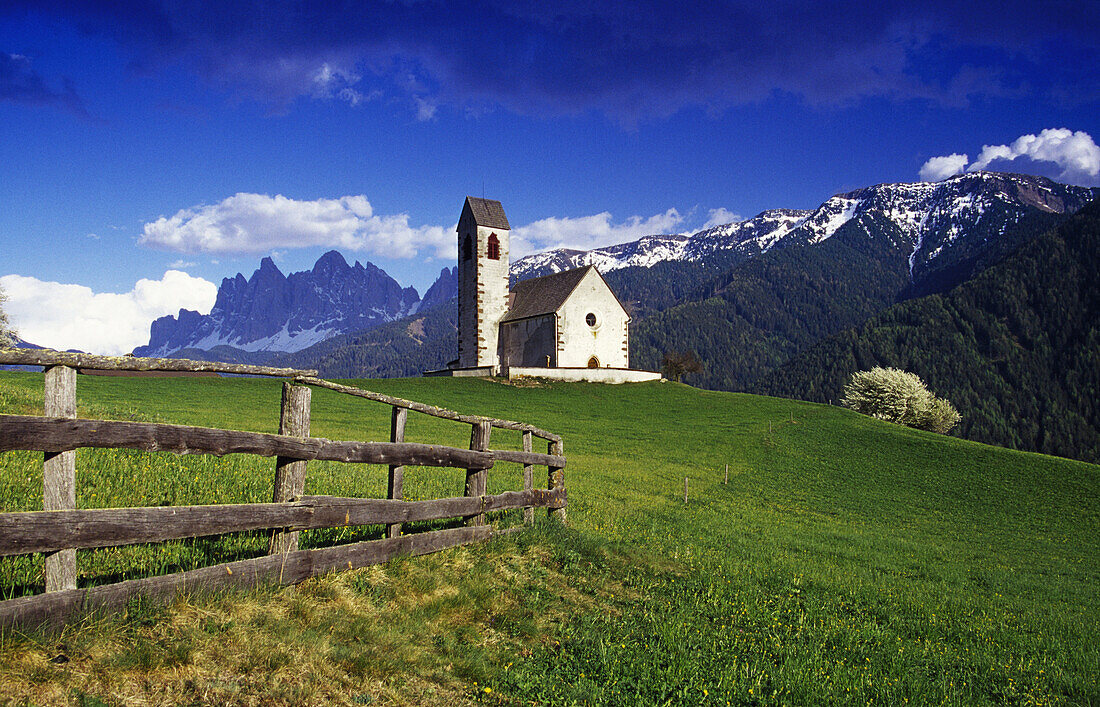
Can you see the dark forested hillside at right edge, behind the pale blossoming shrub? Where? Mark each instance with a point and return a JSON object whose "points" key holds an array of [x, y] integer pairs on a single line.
{"points": [[1017, 349]]}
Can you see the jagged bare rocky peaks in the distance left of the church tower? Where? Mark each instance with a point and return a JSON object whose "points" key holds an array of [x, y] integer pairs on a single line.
{"points": [[271, 312]]}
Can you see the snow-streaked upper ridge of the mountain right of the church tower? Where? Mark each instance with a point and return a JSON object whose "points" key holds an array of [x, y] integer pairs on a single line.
{"points": [[926, 220]]}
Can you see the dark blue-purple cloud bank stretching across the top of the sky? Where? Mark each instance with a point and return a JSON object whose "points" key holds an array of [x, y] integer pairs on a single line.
{"points": [[629, 61]]}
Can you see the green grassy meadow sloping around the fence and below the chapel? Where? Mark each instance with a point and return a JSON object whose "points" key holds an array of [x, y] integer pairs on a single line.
{"points": [[845, 561]]}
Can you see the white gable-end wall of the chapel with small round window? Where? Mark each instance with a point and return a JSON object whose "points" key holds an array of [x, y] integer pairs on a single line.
{"points": [[578, 341]]}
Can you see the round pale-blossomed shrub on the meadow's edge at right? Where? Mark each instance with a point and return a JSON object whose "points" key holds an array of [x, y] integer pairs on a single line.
{"points": [[900, 397]]}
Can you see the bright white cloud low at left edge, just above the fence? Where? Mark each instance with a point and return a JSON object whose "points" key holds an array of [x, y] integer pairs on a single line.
{"points": [[62, 316]]}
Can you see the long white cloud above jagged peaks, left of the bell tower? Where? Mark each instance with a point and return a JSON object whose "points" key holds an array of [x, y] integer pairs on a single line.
{"points": [[258, 224]]}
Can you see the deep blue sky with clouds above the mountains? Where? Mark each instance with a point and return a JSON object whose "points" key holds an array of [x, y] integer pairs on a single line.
{"points": [[150, 149]]}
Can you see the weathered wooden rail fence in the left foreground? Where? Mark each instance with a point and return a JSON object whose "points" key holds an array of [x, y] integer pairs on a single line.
{"points": [[61, 528]]}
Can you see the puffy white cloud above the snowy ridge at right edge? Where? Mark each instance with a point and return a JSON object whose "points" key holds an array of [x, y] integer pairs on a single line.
{"points": [[1062, 154]]}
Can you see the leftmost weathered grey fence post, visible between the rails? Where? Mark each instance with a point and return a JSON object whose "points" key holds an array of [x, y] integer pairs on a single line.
{"points": [[59, 473]]}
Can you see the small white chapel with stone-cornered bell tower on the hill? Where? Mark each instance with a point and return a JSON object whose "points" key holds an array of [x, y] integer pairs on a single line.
{"points": [[568, 325]]}
